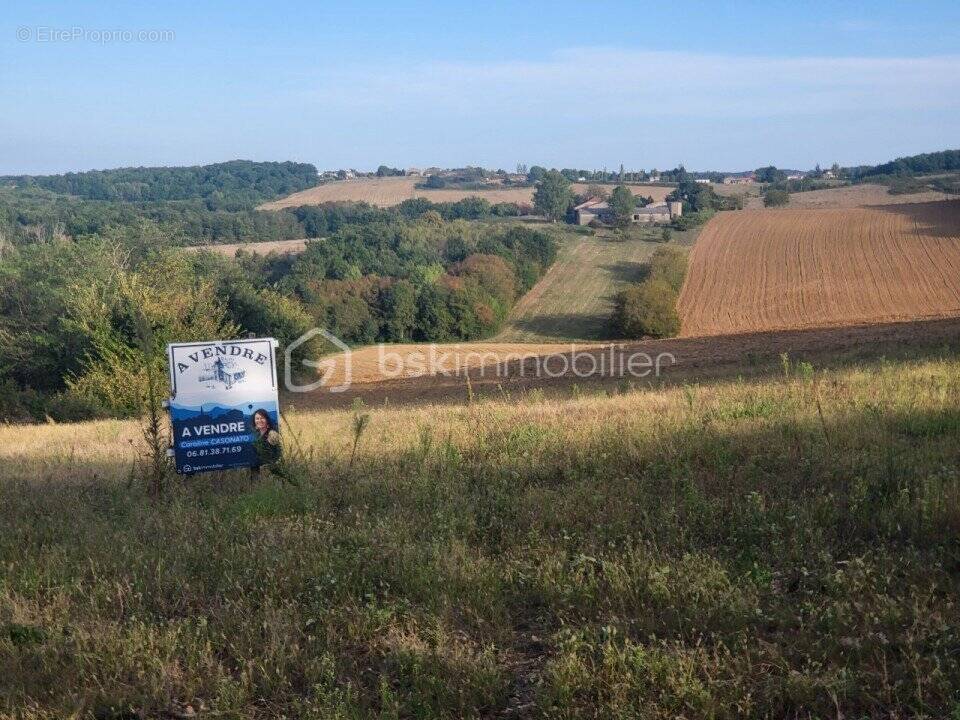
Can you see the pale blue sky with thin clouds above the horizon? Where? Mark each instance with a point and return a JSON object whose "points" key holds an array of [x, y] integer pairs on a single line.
{"points": [[715, 85]]}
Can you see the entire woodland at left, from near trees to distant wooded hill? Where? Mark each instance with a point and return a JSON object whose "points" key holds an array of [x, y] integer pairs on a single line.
{"points": [[91, 290]]}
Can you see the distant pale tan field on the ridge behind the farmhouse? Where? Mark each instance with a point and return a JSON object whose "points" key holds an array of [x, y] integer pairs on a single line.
{"points": [[385, 192]]}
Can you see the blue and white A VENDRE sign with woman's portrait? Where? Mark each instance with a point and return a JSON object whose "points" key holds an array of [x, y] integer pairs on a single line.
{"points": [[223, 397]]}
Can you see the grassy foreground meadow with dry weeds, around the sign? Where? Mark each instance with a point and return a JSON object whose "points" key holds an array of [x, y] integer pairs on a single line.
{"points": [[780, 548]]}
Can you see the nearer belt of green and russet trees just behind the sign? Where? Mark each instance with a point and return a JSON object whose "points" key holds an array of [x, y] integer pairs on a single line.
{"points": [[73, 311]]}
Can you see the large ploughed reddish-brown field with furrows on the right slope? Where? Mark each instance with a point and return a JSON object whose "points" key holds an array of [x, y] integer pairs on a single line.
{"points": [[758, 270]]}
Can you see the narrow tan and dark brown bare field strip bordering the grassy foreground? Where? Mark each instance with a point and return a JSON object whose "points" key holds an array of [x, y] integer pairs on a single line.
{"points": [[424, 374]]}
